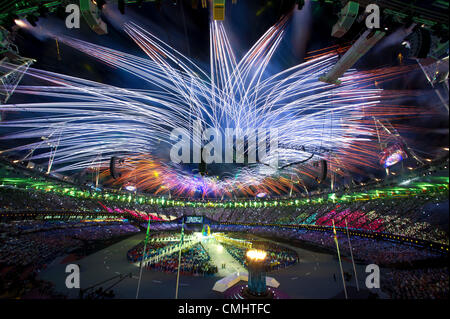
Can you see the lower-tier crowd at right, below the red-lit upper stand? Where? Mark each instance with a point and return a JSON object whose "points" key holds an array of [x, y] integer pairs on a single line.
{"points": [[402, 280]]}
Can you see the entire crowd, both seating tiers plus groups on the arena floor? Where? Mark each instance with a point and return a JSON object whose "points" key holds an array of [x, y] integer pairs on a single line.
{"points": [[26, 247]]}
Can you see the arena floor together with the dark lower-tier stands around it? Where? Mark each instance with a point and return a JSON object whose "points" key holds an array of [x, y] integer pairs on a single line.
{"points": [[34, 254]]}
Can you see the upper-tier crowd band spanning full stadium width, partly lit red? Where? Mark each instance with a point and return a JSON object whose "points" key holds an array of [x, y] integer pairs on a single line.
{"points": [[403, 216]]}
